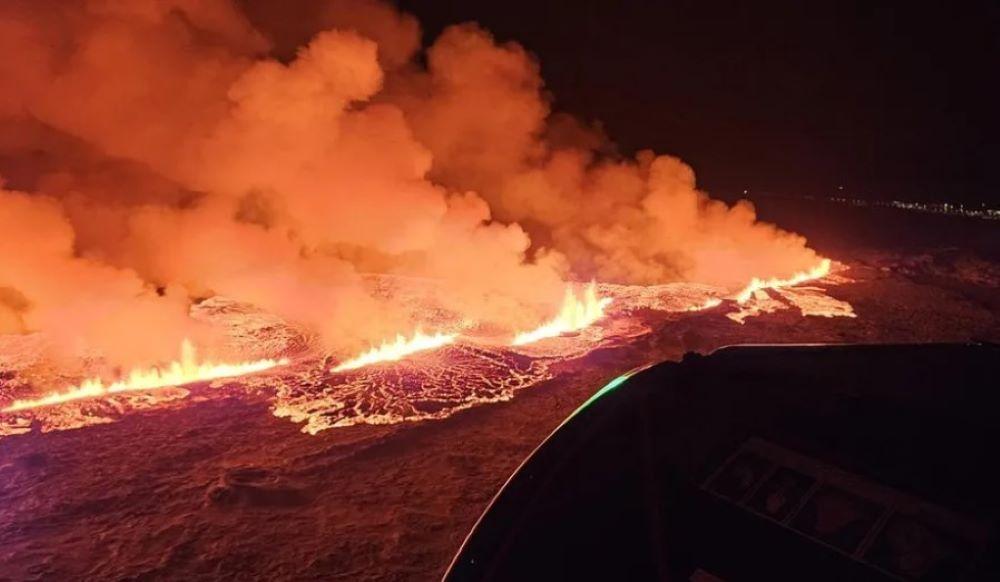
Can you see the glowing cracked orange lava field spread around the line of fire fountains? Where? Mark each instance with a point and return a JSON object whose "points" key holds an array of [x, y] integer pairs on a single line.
{"points": [[299, 383]]}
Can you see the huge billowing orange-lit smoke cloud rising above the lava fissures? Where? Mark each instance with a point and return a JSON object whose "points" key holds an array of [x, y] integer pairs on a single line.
{"points": [[155, 152]]}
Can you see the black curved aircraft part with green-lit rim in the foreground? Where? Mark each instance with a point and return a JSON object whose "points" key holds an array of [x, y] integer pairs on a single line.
{"points": [[763, 463]]}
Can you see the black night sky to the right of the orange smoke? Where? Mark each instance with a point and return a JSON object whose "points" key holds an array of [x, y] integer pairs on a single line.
{"points": [[888, 98]]}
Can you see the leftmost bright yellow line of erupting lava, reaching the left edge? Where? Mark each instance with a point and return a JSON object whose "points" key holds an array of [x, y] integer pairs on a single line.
{"points": [[178, 373]]}
